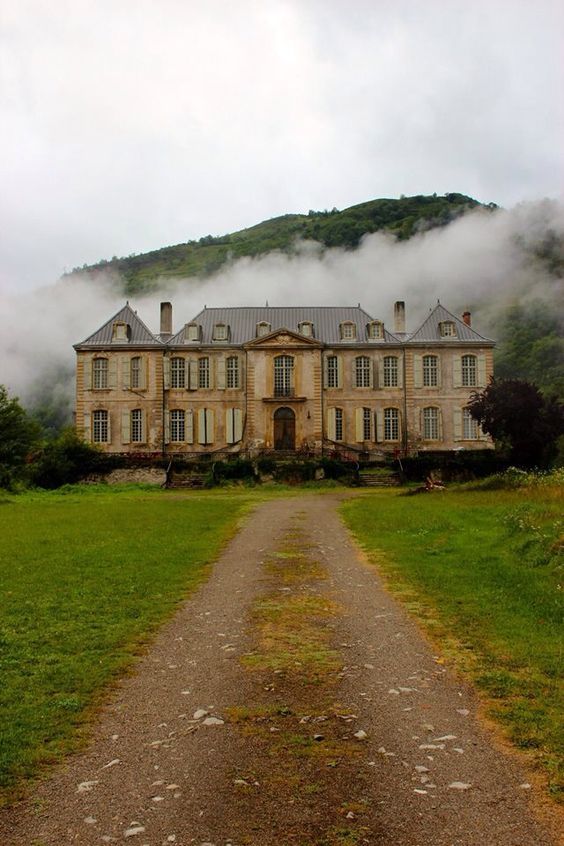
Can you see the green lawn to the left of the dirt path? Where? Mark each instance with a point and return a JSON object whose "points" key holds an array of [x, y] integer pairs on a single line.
{"points": [[85, 578]]}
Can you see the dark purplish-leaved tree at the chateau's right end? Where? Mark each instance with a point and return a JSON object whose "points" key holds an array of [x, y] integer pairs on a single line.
{"points": [[520, 419]]}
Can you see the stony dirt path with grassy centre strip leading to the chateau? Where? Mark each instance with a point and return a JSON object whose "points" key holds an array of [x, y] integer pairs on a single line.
{"points": [[289, 703]]}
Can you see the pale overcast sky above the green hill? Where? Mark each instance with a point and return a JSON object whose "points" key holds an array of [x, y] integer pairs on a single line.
{"points": [[127, 125]]}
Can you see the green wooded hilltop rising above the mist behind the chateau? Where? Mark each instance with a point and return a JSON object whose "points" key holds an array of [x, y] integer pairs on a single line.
{"points": [[403, 217]]}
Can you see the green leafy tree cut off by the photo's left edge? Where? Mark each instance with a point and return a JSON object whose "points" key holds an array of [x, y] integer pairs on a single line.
{"points": [[18, 436]]}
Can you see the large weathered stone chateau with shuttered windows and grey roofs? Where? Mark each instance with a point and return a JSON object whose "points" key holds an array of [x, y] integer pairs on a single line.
{"points": [[312, 379]]}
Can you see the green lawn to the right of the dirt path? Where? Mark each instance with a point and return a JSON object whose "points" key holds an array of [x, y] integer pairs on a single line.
{"points": [[483, 570]]}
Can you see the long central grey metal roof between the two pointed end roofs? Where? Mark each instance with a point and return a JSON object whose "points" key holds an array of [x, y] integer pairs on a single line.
{"points": [[243, 321]]}
